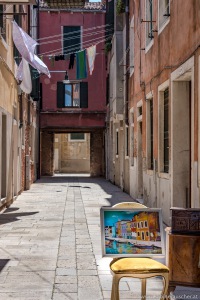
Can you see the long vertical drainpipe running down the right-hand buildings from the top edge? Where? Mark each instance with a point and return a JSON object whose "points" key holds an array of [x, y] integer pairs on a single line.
{"points": [[127, 61]]}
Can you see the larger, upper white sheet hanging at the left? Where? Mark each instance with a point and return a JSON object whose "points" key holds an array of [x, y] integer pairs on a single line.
{"points": [[26, 47]]}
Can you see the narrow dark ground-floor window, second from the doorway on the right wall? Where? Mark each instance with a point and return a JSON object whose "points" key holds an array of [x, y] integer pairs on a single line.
{"points": [[150, 134]]}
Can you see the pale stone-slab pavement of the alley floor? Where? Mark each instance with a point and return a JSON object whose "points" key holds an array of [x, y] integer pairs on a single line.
{"points": [[50, 245]]}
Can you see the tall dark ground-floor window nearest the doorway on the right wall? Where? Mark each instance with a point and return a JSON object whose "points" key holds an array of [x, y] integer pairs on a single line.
{"points": [[166, 131]]}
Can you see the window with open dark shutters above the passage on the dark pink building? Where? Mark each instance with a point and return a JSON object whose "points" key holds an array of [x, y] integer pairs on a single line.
{"points": [[72, 94]]}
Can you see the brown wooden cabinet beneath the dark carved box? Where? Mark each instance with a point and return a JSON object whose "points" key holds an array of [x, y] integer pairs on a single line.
{"points": [[183, 260]]}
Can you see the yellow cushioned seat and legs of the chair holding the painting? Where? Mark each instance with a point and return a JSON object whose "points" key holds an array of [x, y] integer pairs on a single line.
{"points": [[137, 267]]}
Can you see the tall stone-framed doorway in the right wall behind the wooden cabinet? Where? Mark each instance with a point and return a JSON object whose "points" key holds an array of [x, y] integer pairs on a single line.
{"points": [[181, 142]]}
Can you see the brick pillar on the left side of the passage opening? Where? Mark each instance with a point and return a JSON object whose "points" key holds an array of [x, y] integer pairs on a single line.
{"points": [[46, 153]]}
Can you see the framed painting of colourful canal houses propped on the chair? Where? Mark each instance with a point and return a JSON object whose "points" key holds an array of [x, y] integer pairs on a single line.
{"points": [[132, 232]]}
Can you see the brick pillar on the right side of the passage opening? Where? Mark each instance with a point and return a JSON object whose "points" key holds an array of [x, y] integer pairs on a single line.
{"points": [[97, 153]]}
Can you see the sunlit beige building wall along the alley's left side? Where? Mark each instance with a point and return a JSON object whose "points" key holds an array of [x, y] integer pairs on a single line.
{"points": [[18, 122]]}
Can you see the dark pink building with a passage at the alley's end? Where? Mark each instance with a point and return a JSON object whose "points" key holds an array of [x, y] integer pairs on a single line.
{"points": [[81, 105]]}
